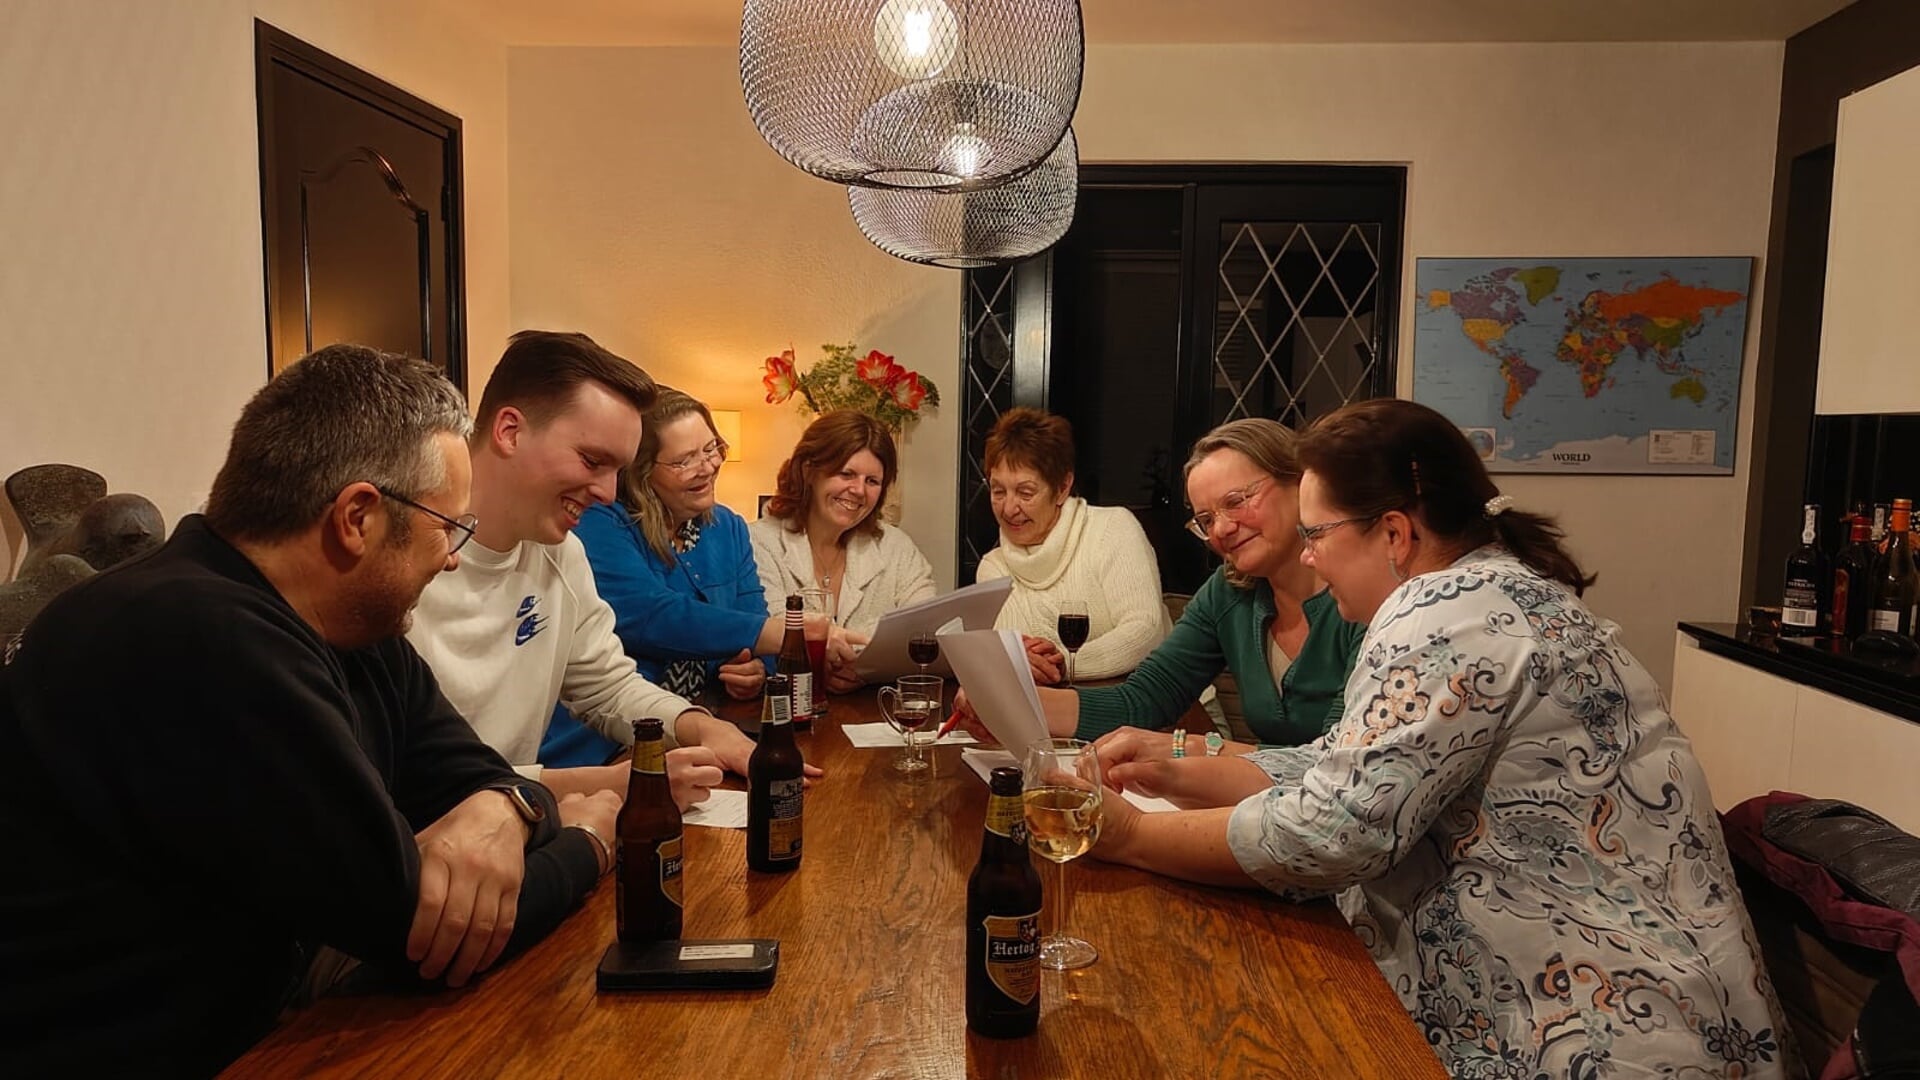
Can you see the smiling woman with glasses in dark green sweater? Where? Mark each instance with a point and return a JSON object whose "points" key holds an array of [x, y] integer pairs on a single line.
{"points": [[1262, 616]]}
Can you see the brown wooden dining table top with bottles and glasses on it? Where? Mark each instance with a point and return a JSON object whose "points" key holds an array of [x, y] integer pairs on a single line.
{"points": [[1191, 981]]}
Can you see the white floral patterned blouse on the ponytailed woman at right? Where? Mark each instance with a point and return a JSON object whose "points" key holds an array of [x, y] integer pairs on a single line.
{"points": [[1525, 843]]}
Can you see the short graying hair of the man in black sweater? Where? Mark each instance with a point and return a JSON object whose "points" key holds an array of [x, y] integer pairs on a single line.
{"points": [[335, 418]]}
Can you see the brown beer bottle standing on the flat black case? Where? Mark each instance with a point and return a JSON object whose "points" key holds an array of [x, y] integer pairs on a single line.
{"points": [[646, 856]]}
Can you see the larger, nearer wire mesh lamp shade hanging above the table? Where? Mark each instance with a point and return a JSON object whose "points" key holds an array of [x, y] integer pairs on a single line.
{"points": [[940, 95]]}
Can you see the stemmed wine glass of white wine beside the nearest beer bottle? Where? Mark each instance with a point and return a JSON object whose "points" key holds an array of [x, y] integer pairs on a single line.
{"points": [[1061, 795]]}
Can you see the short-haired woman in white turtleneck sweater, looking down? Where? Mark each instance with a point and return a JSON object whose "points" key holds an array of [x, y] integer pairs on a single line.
{"points": [[1059, 549]]}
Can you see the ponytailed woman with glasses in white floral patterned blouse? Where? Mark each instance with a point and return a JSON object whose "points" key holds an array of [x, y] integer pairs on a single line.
{"points": [[1508, 814]]}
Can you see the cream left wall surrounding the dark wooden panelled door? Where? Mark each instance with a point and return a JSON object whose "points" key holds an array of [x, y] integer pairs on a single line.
{"points": [[132, 291]]}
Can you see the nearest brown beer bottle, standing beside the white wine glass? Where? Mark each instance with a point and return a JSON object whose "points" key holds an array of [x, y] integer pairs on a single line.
{"points": [[1003, 921]]}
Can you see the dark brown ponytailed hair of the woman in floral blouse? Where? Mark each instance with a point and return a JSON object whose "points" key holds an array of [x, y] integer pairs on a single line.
{"points": [[1391, 454]]}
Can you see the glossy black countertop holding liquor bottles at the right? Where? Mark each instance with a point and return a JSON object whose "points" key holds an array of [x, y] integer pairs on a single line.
{"points": [[1875, 679]]}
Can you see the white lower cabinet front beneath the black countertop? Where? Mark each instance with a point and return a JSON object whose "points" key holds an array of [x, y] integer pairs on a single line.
{"points": [[1758, 733]]}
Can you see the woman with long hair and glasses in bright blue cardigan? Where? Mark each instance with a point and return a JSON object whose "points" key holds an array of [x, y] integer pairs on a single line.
{"points": [[677, 568]]}
